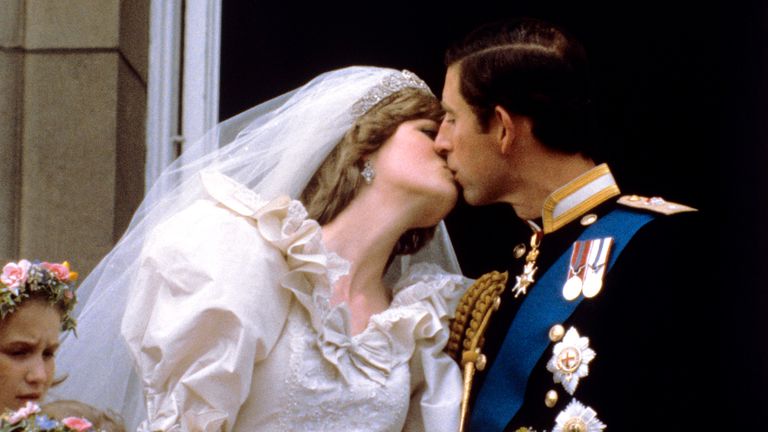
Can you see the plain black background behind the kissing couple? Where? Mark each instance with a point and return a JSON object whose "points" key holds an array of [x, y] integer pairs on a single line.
{"points": [[681, 91]]}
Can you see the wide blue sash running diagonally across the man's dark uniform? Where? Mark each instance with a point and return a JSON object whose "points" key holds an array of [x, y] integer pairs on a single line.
{"points": [[528, 337]]}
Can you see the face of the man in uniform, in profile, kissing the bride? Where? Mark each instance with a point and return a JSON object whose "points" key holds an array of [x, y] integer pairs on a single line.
{"points": [[473, 155]]}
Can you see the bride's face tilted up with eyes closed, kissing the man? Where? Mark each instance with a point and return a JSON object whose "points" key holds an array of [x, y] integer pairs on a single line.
{"points": [[409, 162]]}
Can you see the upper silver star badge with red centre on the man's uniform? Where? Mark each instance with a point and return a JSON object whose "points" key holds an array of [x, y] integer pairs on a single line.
{"points": [[570, 360]]}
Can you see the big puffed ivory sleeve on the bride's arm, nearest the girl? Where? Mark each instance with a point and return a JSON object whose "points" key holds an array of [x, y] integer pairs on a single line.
{"points": [[205, 307]]}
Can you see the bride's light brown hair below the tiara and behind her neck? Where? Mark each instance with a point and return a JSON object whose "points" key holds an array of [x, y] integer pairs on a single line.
{"points": [[338, 179]]}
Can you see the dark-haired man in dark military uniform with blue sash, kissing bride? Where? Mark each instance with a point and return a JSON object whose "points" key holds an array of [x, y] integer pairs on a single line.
{"points": [[601, 324]]}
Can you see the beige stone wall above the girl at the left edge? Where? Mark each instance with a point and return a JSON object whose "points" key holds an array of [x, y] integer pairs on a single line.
{"points": [[73, 80]]}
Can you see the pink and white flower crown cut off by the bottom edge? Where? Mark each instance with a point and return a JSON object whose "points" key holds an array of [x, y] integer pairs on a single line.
{"points": [[29, 419]]}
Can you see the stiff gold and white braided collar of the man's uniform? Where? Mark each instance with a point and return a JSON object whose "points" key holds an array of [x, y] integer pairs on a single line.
{"points": [[578, 196]]}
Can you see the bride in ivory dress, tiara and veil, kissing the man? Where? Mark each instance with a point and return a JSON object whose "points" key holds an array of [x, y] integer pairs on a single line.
{"points": [[295, 279]]}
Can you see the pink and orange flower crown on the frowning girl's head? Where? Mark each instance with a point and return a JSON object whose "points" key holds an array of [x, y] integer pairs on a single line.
{"points": [[20, 280]]}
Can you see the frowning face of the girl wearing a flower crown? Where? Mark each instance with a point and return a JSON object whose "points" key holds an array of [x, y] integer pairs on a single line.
{"points": [[29, 338]]}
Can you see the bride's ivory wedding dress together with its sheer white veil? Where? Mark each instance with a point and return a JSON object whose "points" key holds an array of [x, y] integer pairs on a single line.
{"points": [[226, 325]]}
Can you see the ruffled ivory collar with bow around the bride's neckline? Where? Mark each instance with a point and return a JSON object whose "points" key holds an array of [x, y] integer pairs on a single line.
{"points": [[424, 298]]}
